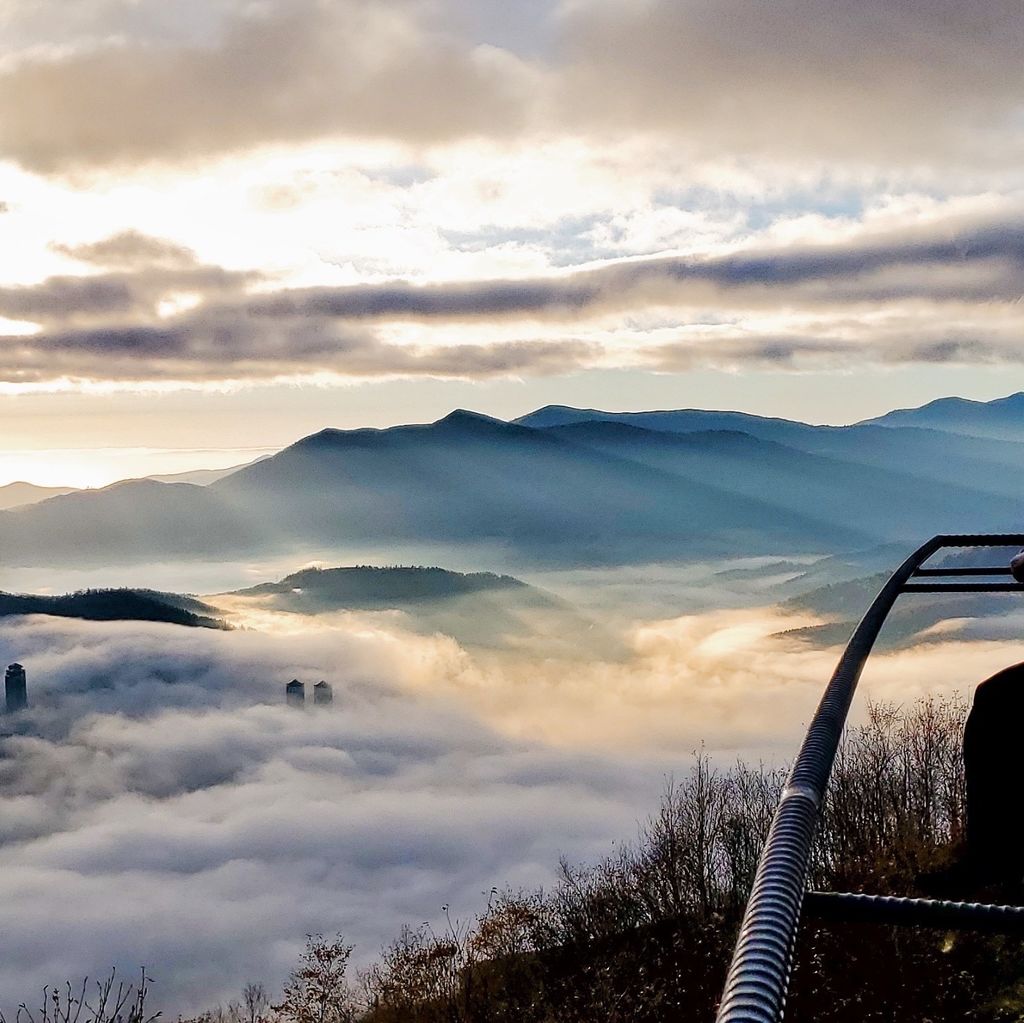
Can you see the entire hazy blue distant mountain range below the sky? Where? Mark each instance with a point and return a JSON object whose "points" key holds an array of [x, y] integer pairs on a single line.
{"points": [[569, 487]]}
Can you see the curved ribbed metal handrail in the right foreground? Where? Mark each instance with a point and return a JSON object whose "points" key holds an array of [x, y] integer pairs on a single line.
{"points": [[759, 975]]}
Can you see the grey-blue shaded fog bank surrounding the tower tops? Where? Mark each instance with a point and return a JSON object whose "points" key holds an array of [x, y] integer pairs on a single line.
{"points": [[160, 805]]}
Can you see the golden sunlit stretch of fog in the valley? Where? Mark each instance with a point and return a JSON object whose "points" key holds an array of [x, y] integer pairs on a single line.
{"points": [[729, 679]]}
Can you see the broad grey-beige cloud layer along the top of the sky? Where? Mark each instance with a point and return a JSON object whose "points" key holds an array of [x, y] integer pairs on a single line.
{"points": [[117, 82]]}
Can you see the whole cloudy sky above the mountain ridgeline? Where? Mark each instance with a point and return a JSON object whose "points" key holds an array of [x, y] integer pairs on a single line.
{"points": [[229, 224]]}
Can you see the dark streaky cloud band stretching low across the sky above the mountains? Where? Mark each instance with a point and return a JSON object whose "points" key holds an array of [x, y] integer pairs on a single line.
{"points": [[940, 292]]}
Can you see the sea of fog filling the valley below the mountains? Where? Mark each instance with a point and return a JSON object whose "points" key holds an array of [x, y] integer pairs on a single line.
{"points": [[162, 806]]}
